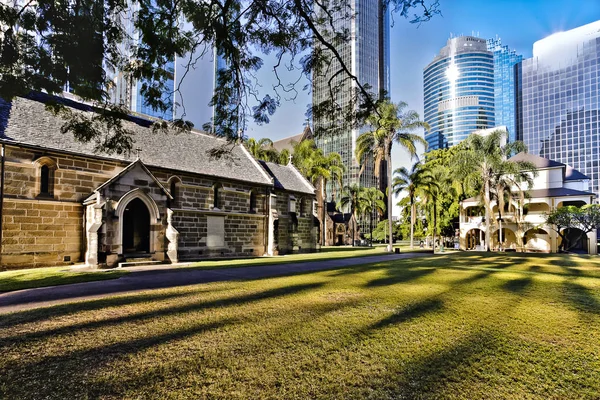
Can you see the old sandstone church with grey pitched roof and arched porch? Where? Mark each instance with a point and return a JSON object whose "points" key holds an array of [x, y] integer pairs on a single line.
{"points": [[65, 203]]}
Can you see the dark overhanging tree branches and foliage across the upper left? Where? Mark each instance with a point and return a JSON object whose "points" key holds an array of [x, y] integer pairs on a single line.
{"points": [[46, 45]]}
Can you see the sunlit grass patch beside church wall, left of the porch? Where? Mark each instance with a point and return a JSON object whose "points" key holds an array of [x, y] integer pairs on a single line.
{"points": [[51, 276]]}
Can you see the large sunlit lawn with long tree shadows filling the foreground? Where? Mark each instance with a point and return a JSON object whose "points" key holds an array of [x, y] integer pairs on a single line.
{"points": [[457, 326]]}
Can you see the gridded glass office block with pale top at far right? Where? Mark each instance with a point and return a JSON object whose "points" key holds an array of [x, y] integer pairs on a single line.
{"points": [[558, 95]]}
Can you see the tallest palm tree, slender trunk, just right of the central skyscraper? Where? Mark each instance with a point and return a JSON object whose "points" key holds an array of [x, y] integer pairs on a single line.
{"points": [[391, 124]]}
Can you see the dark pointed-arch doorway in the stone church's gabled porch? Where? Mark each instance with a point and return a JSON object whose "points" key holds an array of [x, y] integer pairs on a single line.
{"points": [[136, 227]]}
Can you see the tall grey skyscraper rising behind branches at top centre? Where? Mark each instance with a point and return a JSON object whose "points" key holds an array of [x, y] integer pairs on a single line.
{"points": [[367, 56]]}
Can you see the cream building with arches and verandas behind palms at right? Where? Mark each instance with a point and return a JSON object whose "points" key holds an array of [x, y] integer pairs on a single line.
{"points": [[522, 226]]}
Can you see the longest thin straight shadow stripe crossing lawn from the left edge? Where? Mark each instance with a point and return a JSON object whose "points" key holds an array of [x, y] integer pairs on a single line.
{"points": [[196, 306]]}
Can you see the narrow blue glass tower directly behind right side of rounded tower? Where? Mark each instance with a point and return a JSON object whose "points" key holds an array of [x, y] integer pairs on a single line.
{"points": [[504, 85]]}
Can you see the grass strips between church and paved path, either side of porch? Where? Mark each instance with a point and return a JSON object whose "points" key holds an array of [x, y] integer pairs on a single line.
{"points": [[41, 277]]}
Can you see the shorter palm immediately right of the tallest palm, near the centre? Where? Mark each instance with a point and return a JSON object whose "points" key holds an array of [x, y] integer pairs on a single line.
{"points": [[411, 182]]}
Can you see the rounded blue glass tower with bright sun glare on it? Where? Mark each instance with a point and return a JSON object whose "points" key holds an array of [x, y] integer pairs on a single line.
{"points": [[458, 91]]}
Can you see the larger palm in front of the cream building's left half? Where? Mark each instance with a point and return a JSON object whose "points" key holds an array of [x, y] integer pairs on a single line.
{"points": [[487, 157]]}
